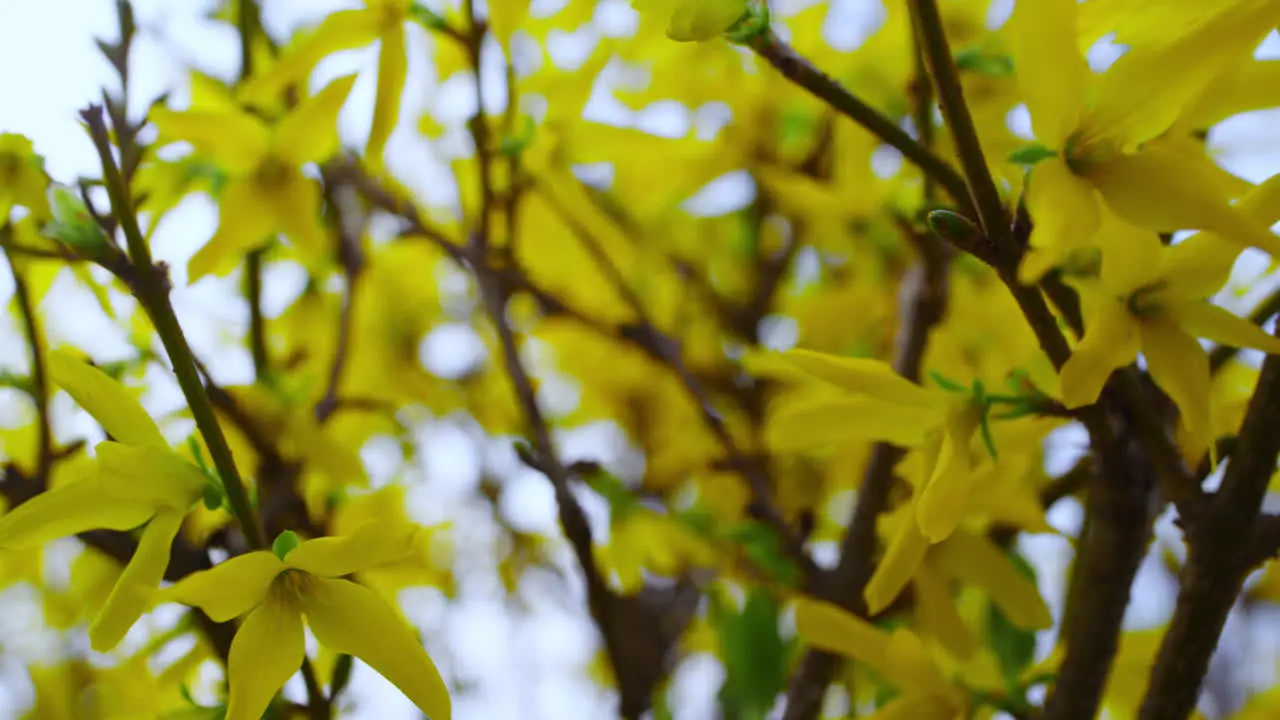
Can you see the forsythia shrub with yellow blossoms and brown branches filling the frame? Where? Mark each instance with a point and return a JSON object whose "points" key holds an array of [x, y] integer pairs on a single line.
{"points": [[857, 320]]}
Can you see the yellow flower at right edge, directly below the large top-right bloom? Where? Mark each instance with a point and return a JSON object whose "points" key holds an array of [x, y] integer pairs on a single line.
{"points": [[1154, 299]]}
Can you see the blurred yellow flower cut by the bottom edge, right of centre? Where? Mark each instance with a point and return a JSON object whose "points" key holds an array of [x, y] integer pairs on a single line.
{"points": [[899, 658]]}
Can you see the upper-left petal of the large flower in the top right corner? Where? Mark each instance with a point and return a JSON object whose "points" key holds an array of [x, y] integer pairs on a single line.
{"points": [[1052, 74]]}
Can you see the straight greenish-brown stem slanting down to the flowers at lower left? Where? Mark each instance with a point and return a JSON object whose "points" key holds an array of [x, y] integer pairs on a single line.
{"points": [[150, 285]]}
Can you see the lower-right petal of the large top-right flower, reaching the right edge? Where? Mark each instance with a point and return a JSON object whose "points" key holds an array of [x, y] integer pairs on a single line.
{"points": [[1167, 192]]}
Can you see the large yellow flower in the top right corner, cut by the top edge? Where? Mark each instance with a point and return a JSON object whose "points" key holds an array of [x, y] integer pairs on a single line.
{"points": [[1107, 154]]}
